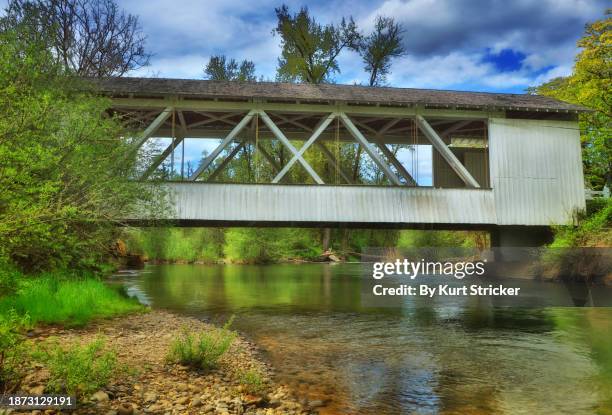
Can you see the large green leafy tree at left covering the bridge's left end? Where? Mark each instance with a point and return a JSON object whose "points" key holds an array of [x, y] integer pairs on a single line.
{"points": [[64, 166]]}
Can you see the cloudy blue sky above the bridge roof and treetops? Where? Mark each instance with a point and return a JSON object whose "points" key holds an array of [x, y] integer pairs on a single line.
{"points": [[482, 45]]}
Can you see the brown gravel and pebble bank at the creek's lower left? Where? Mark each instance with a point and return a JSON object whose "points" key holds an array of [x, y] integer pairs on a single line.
{"points": [[154, 386]]}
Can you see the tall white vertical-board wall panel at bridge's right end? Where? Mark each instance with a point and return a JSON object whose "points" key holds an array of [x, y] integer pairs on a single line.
{"points": [[536, 171]]}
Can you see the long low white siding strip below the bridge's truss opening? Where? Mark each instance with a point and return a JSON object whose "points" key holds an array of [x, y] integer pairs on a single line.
{"points": [[332, 204]]}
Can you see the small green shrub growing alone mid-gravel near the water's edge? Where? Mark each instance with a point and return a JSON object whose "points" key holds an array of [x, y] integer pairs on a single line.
{"points": [[202, 350]]}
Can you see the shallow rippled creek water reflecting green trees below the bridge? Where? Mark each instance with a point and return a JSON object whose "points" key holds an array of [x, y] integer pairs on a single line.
{"points": [[420, 358]]}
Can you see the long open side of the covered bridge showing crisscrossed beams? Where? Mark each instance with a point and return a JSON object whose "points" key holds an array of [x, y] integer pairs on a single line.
{"points": [[346, 150]]}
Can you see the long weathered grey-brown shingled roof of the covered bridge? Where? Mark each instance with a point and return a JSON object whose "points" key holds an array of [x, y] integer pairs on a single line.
{"points": [[328, 93]]}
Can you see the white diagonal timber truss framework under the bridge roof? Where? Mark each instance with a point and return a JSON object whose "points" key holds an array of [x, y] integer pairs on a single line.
{"points": [[372, 128]]}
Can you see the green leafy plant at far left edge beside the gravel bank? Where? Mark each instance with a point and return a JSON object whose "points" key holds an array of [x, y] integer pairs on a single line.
{"points": [[12, 350]]}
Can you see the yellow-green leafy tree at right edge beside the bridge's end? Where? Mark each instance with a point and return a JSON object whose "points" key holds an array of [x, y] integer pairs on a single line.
{"points": [[590, 86]]}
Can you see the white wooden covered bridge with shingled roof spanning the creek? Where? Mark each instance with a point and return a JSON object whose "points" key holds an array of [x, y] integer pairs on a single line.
{"points": [[492, 160]]}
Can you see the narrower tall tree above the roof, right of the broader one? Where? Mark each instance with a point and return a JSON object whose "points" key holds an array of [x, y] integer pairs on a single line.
{"points": [[380, 47]]}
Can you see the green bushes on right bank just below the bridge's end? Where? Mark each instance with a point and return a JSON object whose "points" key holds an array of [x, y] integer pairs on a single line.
{"points": [[592, 230]]}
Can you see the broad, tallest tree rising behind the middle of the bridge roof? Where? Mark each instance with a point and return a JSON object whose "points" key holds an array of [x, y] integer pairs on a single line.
{"points": [[309, 49]]}
